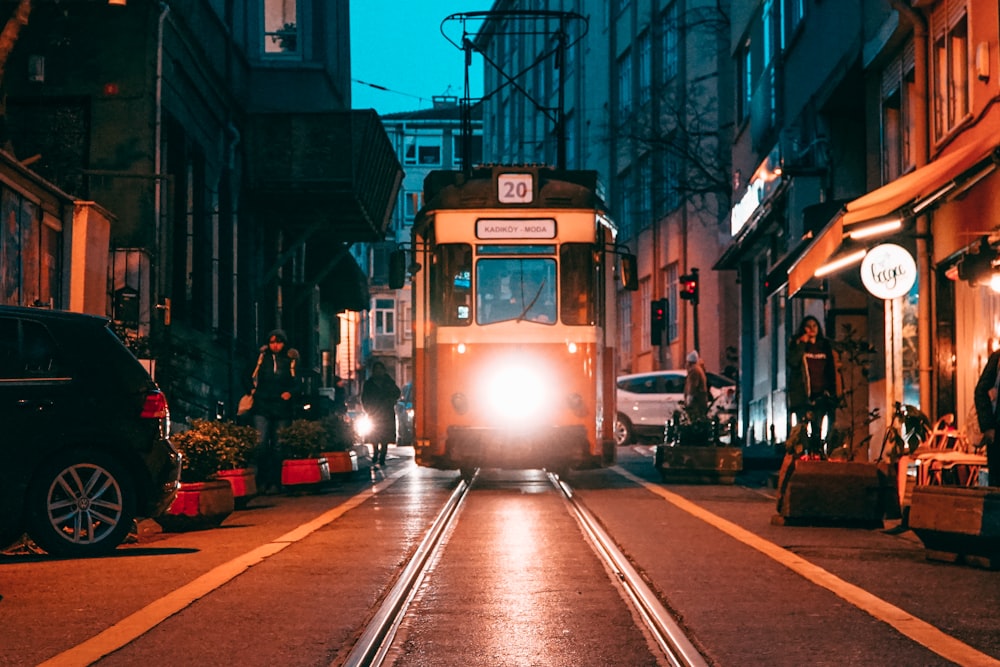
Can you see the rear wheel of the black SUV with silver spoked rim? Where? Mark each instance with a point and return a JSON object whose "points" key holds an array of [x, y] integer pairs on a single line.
{"points": [[81, 504]]}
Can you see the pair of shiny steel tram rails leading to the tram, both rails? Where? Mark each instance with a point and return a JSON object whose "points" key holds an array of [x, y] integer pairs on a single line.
{"points": [[376, 640]]}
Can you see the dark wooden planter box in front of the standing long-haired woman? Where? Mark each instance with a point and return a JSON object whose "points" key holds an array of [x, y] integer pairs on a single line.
{"points": [[830, 492]]}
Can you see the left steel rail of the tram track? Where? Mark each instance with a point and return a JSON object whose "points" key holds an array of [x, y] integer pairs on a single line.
{"points": [[373, 645]]}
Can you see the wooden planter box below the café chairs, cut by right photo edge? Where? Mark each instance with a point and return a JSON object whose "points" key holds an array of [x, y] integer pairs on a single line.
{"points": [[958, 524]]}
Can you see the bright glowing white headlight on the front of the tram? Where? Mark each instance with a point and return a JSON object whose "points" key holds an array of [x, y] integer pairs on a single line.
{"points": [[516, 395]]}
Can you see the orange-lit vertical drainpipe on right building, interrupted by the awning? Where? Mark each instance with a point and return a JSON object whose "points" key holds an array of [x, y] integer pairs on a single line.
{"points": [[921, 153]]}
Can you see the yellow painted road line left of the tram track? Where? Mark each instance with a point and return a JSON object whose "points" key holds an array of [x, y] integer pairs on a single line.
{"points": [[135, 625]]}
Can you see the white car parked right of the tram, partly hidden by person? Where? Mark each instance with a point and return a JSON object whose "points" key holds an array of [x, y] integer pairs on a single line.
{"points": [[646, 401]]}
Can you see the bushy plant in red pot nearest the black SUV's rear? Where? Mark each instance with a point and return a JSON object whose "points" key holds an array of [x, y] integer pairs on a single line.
{"points": [[205, 499]]}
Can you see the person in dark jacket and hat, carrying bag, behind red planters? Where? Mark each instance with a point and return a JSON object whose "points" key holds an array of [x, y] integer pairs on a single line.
{"points": [[276, 386]]}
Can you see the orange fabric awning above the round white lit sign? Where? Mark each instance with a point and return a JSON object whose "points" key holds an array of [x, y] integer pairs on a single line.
{"points": [[907, 195]]}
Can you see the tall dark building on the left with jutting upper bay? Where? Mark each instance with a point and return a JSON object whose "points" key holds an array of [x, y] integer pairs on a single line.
{"points": [[220, 141]]}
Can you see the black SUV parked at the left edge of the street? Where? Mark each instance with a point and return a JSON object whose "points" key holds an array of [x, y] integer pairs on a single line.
{"points": [[84, 445]]}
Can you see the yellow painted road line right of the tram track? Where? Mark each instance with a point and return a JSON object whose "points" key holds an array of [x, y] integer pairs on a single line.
{"points": [[920, 631]]}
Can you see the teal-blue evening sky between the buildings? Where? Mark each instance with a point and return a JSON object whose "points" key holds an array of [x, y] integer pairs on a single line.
{"points": [[398, 45]]}
